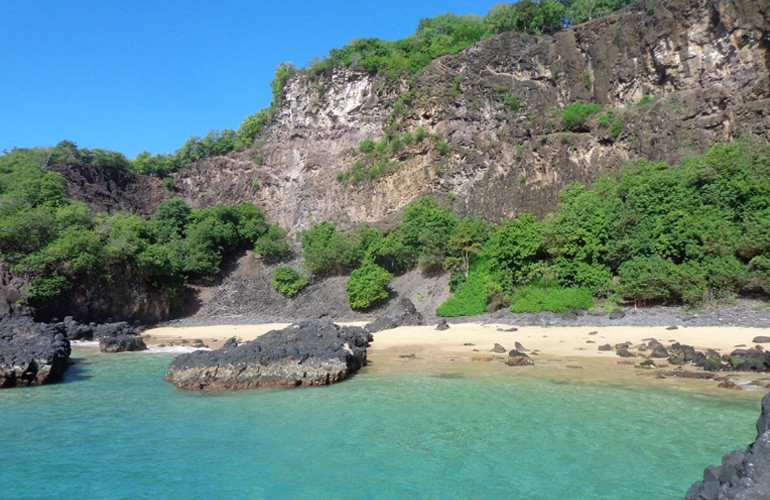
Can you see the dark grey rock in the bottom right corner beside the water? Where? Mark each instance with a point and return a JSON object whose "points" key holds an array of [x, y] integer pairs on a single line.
{"points": [[744, 475]]}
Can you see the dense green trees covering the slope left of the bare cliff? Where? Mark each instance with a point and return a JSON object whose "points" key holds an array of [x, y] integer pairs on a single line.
{"points": [[54, 243]]}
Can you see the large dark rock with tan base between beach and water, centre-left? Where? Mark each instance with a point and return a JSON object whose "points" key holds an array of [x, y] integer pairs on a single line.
{"points": [[315, 352]]}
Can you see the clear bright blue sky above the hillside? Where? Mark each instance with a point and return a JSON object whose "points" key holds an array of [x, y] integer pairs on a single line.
{"points": [[134, 75]]}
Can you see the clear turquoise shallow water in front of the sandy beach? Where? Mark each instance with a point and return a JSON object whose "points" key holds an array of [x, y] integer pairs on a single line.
{"points": [[117, 430]]}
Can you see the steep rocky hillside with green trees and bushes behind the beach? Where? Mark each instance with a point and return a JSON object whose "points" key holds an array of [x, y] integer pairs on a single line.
{"points": [[496, 130]]}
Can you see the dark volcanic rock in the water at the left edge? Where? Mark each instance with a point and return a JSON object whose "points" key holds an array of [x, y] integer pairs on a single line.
{"points": [[31, 353]]}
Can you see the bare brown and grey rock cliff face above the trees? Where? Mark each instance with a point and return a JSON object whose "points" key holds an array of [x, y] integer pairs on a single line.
{"points": [[677, 77]]}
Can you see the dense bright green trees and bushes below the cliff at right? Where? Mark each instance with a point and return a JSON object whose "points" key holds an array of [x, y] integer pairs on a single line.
{"points": [[686, 234]]}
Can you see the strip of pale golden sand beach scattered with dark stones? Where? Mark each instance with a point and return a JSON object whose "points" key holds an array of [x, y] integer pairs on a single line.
{"points": [[559, 352]]}
